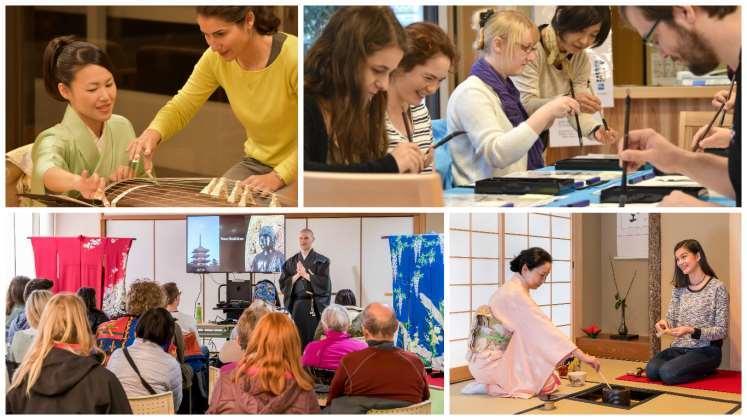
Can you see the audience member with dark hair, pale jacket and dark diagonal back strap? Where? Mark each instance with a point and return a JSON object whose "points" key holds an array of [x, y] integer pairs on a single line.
{"points": [[148, 361]]}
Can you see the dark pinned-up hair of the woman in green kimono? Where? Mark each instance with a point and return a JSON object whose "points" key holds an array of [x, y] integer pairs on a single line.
{"points": [[64, 56]]}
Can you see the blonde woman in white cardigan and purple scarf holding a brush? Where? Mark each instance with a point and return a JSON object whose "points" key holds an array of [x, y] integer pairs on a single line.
{"points": [[500, 136]]}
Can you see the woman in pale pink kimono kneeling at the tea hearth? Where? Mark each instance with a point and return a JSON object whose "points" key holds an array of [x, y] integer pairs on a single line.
{"points": [[515, 347]]}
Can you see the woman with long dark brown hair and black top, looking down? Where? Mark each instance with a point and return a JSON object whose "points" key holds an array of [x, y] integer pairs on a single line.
{"points": [[346, 76]]}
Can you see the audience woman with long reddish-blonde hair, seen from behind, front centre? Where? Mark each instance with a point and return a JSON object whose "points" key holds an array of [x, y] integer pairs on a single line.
{"points": [[269, 378]]}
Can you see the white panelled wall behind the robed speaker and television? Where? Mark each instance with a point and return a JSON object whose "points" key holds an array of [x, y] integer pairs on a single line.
{"points": [[359, 255]]}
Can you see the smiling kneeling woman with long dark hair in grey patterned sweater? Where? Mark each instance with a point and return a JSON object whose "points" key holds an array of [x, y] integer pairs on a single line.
{"points": [[697, 318]]}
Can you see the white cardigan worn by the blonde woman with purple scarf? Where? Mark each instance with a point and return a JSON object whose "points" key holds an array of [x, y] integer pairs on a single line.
{"points": [[492, 145]]}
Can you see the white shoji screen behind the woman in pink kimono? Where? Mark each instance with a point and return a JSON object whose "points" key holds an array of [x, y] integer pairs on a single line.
{"points": [[482, 246]]}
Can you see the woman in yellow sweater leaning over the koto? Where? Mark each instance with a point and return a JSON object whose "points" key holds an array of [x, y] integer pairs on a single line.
{"points": [[257, 66]]}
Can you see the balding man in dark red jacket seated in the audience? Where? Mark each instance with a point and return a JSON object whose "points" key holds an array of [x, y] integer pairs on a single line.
{"points": [[381, 376]]}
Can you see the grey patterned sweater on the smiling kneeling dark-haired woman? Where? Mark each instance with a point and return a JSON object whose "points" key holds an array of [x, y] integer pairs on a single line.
{"points": [[707, 309]]}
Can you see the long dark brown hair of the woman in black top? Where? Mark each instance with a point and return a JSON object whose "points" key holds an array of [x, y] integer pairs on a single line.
{"points": [[332, 72]]}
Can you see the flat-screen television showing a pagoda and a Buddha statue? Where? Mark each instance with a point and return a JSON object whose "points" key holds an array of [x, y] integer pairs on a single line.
{"points": [[235, 244]]}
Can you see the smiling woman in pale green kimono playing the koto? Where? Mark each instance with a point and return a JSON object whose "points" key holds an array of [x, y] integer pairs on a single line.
{"points": [[89, 147]]}
